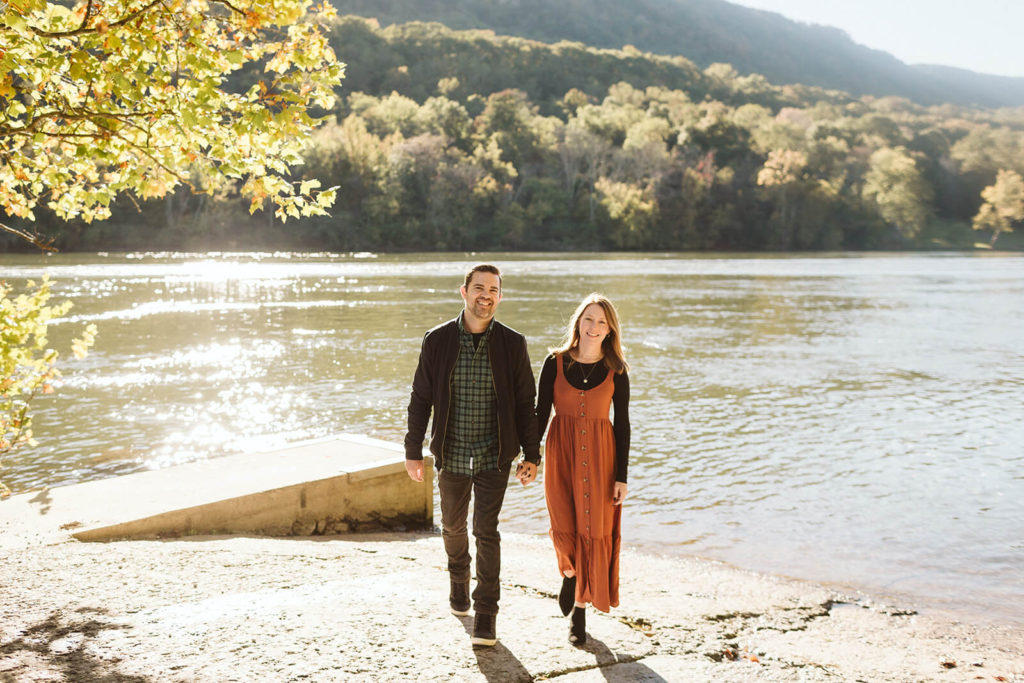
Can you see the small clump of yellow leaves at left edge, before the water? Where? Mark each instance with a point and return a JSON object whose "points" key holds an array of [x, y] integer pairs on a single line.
{"points": [[27, 366]]}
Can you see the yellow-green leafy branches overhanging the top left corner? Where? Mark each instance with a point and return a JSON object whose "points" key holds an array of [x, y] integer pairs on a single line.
{"points": [[134, 97]]}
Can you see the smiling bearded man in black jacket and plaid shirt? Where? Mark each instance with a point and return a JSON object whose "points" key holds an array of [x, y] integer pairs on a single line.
{"points": [[475, 374]]}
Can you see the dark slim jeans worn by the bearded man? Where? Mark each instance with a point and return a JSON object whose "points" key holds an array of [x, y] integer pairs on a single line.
{"points": [[489, 494]]}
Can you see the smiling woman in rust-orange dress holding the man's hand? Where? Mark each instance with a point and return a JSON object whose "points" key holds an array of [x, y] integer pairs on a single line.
{"points": [[586, 458]]}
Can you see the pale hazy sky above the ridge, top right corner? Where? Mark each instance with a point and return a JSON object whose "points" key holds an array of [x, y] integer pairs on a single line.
{"points": [[986, 36]]}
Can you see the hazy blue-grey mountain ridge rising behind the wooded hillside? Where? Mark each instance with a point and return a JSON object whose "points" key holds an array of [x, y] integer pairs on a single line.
{"points": [[712, 31]]}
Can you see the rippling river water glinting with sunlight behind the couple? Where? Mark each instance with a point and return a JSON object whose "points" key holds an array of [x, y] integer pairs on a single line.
{"points": [[847, 419]]}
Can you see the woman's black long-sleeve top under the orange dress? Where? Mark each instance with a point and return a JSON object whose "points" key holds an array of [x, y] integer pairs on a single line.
{"points": [[595, 374]]}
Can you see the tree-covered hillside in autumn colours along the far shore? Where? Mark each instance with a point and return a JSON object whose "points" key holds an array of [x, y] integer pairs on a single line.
{"points": [[467, 141]]}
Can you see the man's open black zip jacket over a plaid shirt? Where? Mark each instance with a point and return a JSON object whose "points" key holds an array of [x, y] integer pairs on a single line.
{"points": [[515, 392]]}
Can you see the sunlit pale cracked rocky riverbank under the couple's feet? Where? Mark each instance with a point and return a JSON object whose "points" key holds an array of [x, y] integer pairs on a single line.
{"points": [[372, 608]]}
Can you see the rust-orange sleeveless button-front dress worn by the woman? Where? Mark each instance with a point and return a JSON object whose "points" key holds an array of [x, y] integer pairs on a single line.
{"points": [[579, 481]]}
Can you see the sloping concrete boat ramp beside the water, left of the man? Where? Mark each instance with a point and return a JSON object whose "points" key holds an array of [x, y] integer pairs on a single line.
{"points": [[330, 486]]}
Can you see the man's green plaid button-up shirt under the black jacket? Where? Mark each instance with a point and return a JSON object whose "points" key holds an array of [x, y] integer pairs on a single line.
{"points": [[473, 438]]}
